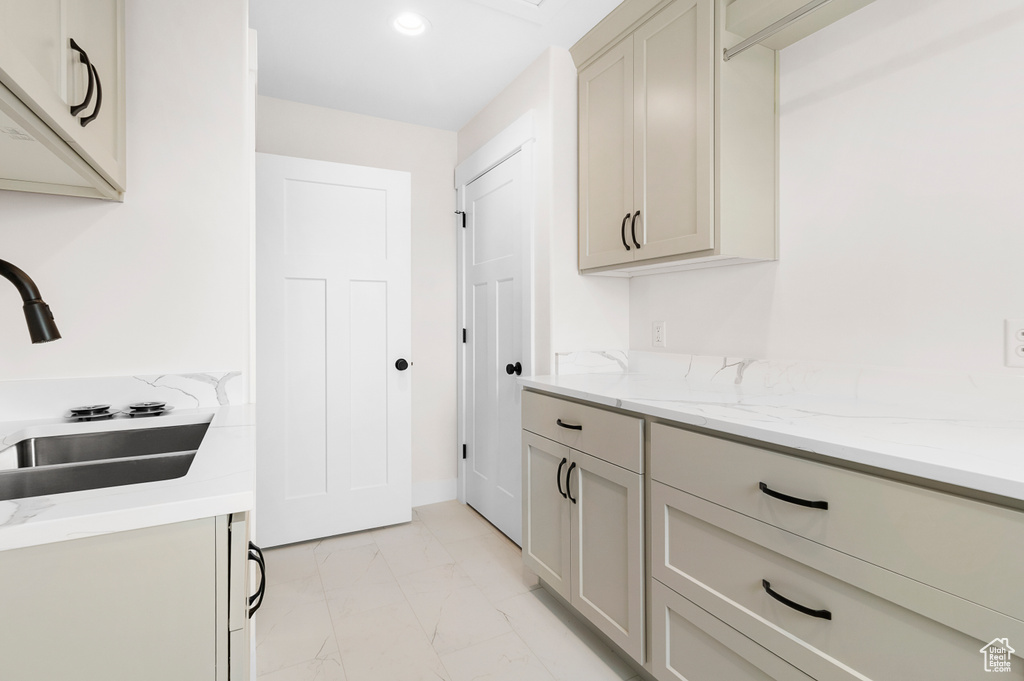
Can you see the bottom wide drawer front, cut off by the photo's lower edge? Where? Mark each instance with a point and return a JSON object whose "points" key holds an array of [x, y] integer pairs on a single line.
{"points": [[690, 645]]}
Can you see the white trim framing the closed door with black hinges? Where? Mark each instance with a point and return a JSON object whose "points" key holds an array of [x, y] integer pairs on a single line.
{"points": [[520, 138]]}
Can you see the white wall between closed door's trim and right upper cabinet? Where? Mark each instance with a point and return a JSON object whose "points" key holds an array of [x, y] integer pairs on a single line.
{"points": [[573, 313]]}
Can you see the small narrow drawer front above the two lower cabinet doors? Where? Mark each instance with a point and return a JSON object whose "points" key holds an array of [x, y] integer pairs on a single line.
{"points": [[615, 438]]}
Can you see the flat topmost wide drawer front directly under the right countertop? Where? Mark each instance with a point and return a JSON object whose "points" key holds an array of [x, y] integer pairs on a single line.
{"points": [[959, 545]]}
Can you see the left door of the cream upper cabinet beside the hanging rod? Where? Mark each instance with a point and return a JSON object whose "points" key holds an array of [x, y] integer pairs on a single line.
{"points": [[607, 158]]}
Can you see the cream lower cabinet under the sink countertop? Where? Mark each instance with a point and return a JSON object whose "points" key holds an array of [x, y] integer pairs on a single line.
{"points": [[162, 604]]}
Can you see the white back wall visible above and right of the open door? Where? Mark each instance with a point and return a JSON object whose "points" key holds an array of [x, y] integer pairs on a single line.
{"points": [[313, 133]]}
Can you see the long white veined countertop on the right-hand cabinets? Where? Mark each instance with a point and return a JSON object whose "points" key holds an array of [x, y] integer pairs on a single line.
{"points": [[985, 454]]}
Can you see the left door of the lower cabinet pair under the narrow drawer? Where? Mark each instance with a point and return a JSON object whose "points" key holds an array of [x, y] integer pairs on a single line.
{"points": [[545, 512]]}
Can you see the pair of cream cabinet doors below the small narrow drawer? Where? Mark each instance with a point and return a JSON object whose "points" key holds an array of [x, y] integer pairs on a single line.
{"points": [[584, 536]]}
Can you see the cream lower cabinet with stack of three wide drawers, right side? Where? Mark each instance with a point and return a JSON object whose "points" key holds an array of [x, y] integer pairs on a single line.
{"points": [[758, 566]]}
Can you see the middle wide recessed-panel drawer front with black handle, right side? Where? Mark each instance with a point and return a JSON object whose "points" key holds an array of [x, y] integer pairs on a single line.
{"points": [[781, 604]]}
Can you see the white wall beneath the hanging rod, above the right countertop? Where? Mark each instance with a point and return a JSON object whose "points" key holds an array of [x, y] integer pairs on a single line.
{"points": [[902, 198]]}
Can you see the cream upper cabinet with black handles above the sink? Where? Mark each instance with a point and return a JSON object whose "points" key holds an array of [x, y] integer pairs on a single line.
{"points": [[62, 97]]}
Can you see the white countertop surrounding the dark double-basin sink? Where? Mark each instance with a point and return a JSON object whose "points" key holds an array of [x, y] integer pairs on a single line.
{"points": [[220, 482]]}
